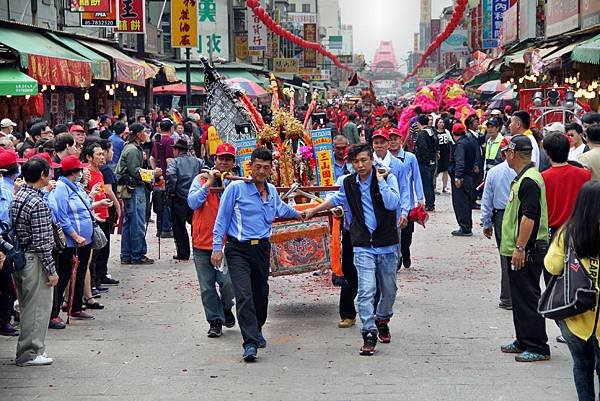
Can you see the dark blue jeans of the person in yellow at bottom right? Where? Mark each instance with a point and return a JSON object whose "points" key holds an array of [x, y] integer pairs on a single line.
{"points": [[586, 359]]}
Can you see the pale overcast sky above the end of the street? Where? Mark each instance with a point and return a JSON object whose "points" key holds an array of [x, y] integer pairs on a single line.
{"points": [[377, 20]]}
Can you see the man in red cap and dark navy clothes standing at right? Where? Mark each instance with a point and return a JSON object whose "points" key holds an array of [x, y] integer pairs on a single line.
{"points": [[462, 172]]}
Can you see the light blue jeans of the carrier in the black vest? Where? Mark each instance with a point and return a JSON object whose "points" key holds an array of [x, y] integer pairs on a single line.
{"points": [[373, 271]]}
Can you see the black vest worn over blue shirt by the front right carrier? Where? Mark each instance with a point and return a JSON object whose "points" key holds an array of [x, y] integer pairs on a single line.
{"points": [[385, 234]]}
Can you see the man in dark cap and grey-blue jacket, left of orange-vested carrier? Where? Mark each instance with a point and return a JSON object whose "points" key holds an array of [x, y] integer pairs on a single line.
{"points": [[181, 171]]}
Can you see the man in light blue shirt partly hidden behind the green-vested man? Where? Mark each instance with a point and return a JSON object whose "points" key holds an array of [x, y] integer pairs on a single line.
{"points": [[495, 197]]}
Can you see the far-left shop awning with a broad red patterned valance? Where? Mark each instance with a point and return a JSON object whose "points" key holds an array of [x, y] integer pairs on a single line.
{"points": [[47, 61]]}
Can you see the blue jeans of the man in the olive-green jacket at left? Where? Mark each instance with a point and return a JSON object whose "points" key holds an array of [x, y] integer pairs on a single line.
{"points": [[133, 235]]}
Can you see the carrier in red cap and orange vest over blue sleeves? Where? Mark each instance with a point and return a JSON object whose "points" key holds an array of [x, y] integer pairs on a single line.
{"points": [[217, 305]]}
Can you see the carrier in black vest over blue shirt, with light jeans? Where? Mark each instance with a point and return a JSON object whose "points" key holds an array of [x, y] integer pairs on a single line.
{"points": [[372, 198]]}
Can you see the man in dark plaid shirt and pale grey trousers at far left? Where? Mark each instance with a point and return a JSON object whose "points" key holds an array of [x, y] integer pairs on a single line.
{"points": [[32, 220]]}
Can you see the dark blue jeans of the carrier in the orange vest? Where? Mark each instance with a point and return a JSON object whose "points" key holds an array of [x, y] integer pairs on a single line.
{"points": [[208, 276]]}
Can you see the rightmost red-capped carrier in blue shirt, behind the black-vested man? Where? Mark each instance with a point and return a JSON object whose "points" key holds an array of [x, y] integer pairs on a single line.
{"points": [[415, 186]]}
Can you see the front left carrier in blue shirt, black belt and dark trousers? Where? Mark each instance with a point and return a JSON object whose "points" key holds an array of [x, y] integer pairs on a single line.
{"points": [[246, 213]]}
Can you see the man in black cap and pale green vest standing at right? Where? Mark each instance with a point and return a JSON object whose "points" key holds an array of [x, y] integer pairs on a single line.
{"points": [[524, 243]]}
